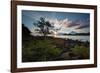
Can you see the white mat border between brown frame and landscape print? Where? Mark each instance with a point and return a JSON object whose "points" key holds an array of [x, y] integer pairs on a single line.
{"points": [[53, 63]]}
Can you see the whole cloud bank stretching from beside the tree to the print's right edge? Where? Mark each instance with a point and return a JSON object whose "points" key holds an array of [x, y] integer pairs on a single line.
{"points": [[66, 23]]}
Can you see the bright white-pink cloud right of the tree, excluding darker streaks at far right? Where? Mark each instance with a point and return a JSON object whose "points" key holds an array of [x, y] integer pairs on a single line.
{"points": [[62, 24]]}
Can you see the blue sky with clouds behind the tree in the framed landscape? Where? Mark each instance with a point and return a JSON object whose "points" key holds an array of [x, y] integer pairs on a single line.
{"points": [[65, 21]]}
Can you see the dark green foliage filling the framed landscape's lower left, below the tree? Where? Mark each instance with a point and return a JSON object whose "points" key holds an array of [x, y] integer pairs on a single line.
{"points": [[40, 50]]}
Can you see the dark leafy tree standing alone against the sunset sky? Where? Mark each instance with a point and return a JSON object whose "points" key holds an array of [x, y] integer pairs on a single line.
{"points": [[44, 26]]}
